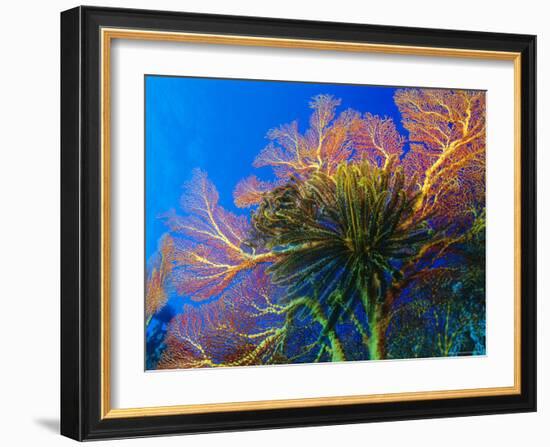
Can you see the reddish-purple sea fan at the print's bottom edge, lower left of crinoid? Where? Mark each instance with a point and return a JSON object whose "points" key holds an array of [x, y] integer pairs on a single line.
{"points": [[229, 331]]}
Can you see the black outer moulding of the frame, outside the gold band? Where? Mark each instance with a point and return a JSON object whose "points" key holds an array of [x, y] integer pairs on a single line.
{"points": [[81, 206]]}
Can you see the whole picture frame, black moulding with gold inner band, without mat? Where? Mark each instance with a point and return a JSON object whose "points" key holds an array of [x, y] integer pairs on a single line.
{"points": [[87, 136]]}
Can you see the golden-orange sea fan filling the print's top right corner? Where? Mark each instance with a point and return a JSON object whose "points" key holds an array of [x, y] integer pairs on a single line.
{"points": [[447, 134]]}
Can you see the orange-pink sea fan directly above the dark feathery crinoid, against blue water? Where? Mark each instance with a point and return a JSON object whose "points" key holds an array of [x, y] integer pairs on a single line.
{"points": [[330, 140]]}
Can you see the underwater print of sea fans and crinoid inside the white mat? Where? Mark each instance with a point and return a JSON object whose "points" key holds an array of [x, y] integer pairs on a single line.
{"points": [[298, 222]]}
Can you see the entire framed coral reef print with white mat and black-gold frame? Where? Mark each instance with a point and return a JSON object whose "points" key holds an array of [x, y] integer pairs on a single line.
{"points": [[275, 223]]}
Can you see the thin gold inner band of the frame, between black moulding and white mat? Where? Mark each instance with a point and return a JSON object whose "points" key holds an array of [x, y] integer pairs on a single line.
{"points": [[107, 35]]}
